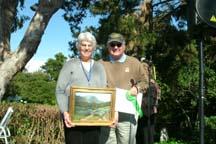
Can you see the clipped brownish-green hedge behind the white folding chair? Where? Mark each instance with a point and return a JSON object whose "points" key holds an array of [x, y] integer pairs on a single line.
{"points": [[34, 123]]}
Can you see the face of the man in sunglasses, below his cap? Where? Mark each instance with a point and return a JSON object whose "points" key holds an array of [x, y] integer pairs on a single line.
{"points": [[116, 49]]}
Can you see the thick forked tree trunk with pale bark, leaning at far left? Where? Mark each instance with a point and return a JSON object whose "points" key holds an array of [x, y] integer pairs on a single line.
{"points": [[11, 63]]}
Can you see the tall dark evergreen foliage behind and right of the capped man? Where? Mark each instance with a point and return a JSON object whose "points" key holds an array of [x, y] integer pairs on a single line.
{"points": [[161, 30]]}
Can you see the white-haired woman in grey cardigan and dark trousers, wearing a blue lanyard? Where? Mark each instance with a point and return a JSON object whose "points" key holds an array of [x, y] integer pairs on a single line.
{"points": [[85, 72]]}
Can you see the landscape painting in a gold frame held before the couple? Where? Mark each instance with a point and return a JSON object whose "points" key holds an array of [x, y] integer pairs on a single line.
{"points": [[92, 106]]}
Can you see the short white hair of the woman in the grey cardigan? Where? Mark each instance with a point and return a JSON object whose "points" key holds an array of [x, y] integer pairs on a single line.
{"points": [[86, 36]]}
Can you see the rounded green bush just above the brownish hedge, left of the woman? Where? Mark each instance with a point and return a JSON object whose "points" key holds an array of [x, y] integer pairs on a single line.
{"points": [[33, 87]]}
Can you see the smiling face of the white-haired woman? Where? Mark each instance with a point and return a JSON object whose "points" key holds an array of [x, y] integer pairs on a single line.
{"points": [[86, 49]]}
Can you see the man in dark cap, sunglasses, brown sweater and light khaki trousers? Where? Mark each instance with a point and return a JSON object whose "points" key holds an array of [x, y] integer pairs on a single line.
{"points": [[124, 72]]}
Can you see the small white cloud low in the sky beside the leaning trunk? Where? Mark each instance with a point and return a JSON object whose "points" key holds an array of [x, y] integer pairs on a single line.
{"points": [[34, 65]]}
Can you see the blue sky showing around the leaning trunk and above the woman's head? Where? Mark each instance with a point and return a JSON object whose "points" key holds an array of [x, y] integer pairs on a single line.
{"points": [[55, 38]]}
